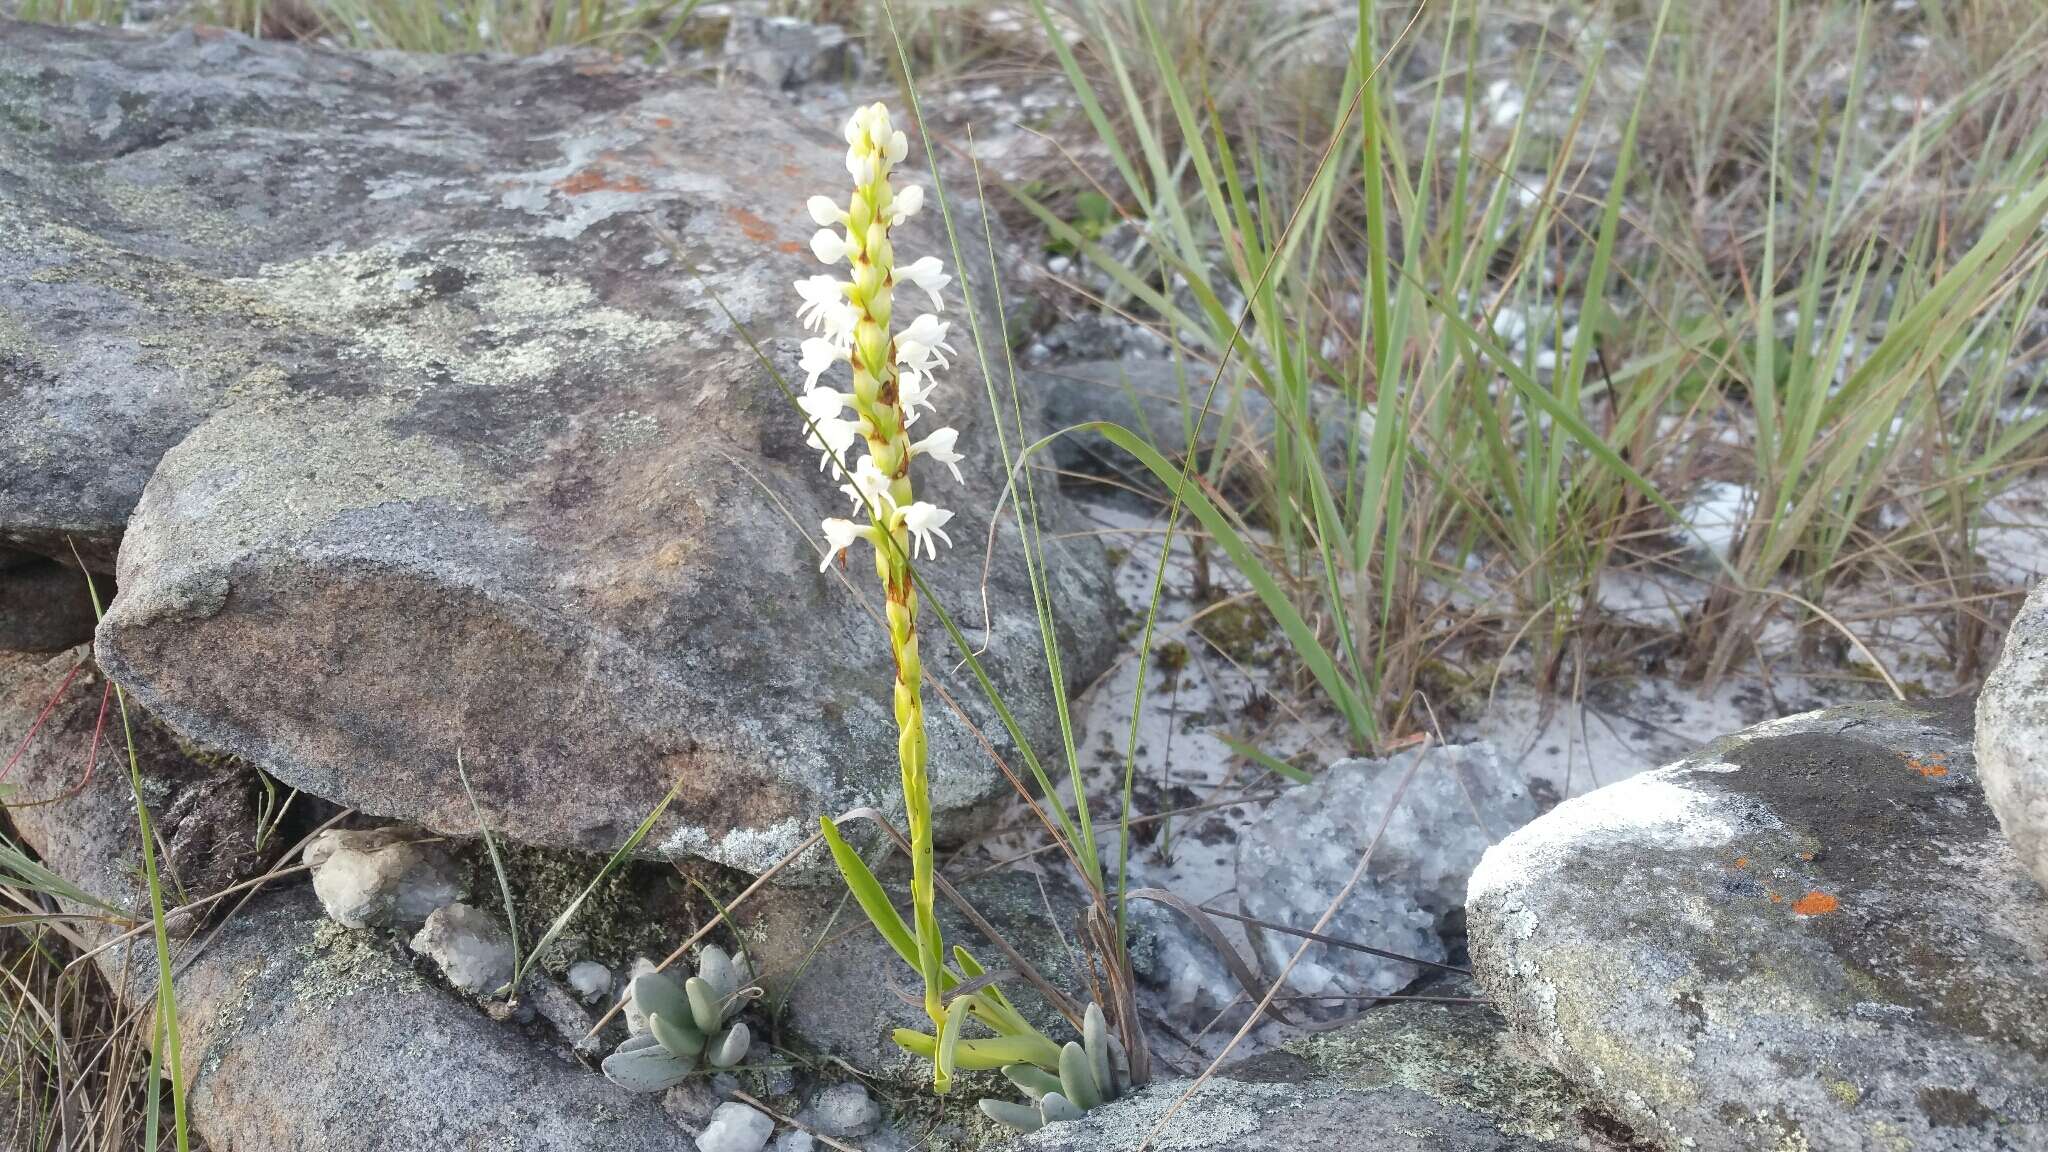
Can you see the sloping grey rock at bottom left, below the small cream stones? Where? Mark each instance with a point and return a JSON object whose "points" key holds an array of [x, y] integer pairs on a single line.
{"points": [[300, 1034]]}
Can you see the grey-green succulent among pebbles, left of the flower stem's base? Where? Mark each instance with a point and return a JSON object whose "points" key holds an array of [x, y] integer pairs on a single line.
{"points": [[687, 1020]]}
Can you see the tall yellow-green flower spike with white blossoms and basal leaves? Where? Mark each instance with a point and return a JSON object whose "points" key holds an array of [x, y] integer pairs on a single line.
{"points": [[894, 378]]}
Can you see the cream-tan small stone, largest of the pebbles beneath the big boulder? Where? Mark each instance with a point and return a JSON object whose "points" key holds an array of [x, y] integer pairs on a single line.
{"points": [[382, 876]]}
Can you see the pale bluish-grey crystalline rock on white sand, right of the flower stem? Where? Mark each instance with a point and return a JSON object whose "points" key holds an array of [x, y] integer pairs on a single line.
{"points": [[1297, 858]]}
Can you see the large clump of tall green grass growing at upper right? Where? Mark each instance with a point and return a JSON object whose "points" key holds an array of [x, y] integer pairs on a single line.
{"points": [[1537, 347]]}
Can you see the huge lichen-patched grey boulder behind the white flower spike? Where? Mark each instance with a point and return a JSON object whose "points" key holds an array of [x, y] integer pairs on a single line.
{"points": [[407, 395]]}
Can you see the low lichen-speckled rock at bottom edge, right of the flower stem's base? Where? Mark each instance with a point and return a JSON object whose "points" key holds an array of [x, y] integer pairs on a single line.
{"points": [[1424, 1077]]}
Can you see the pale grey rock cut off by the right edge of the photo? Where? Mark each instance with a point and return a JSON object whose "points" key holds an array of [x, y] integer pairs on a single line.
{"points": [[2012, 737]]}
